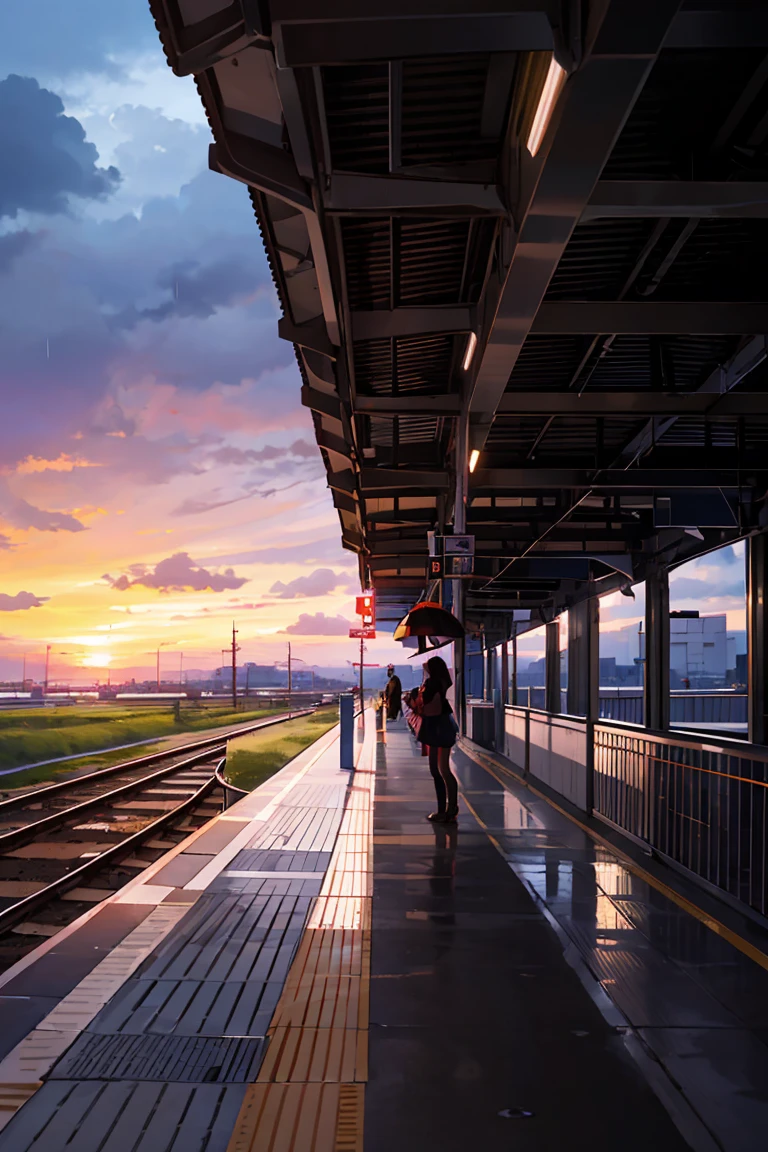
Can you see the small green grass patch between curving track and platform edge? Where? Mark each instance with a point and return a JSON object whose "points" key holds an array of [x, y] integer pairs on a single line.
{"points": [[255, 759]]}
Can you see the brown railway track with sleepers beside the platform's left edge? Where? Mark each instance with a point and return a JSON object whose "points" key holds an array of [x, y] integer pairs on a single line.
{"points": [[70, 846]]}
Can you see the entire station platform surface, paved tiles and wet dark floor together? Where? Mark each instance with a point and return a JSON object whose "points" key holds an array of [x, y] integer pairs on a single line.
{"points": [[322, 971]]}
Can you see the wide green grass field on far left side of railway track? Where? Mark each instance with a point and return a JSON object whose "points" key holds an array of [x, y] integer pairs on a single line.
{"points": [[31, 736]]}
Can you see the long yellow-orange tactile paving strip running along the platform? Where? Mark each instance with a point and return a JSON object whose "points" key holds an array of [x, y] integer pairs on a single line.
{"points": [[310, 1092]]}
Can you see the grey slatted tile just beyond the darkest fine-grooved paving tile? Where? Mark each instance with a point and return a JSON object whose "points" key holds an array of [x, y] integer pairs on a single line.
{"points": [[191, 1009]]}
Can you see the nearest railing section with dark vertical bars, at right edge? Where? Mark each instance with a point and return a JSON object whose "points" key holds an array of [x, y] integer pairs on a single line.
{"points": [[703, 805]]}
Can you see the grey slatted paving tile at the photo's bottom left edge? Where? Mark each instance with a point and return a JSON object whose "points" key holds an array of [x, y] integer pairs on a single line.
{"points": [[142, 1117]]}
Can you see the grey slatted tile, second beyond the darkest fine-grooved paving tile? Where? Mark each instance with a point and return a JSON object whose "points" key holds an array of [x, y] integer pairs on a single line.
{"points": [[229, 937]]}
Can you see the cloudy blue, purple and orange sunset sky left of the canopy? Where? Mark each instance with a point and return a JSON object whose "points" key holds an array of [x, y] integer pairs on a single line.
{"points": [[158, 475]]}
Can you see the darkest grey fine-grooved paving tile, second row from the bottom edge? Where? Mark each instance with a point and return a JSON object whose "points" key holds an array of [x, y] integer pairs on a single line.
{"points": [[169, 1059]]}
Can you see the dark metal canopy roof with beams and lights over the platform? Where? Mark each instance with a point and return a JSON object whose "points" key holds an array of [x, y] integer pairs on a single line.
{"points": [[582, 188]]}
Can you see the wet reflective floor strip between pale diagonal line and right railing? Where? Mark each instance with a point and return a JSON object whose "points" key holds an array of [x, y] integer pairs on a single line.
{"points": [[699, 1004]]}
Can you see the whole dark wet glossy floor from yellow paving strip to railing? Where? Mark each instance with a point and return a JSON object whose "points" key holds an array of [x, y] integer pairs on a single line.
{"points": [[528, 991]]}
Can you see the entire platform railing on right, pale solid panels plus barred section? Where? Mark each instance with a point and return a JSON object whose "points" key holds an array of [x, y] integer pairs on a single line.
{"points": [[701, 804]]}
